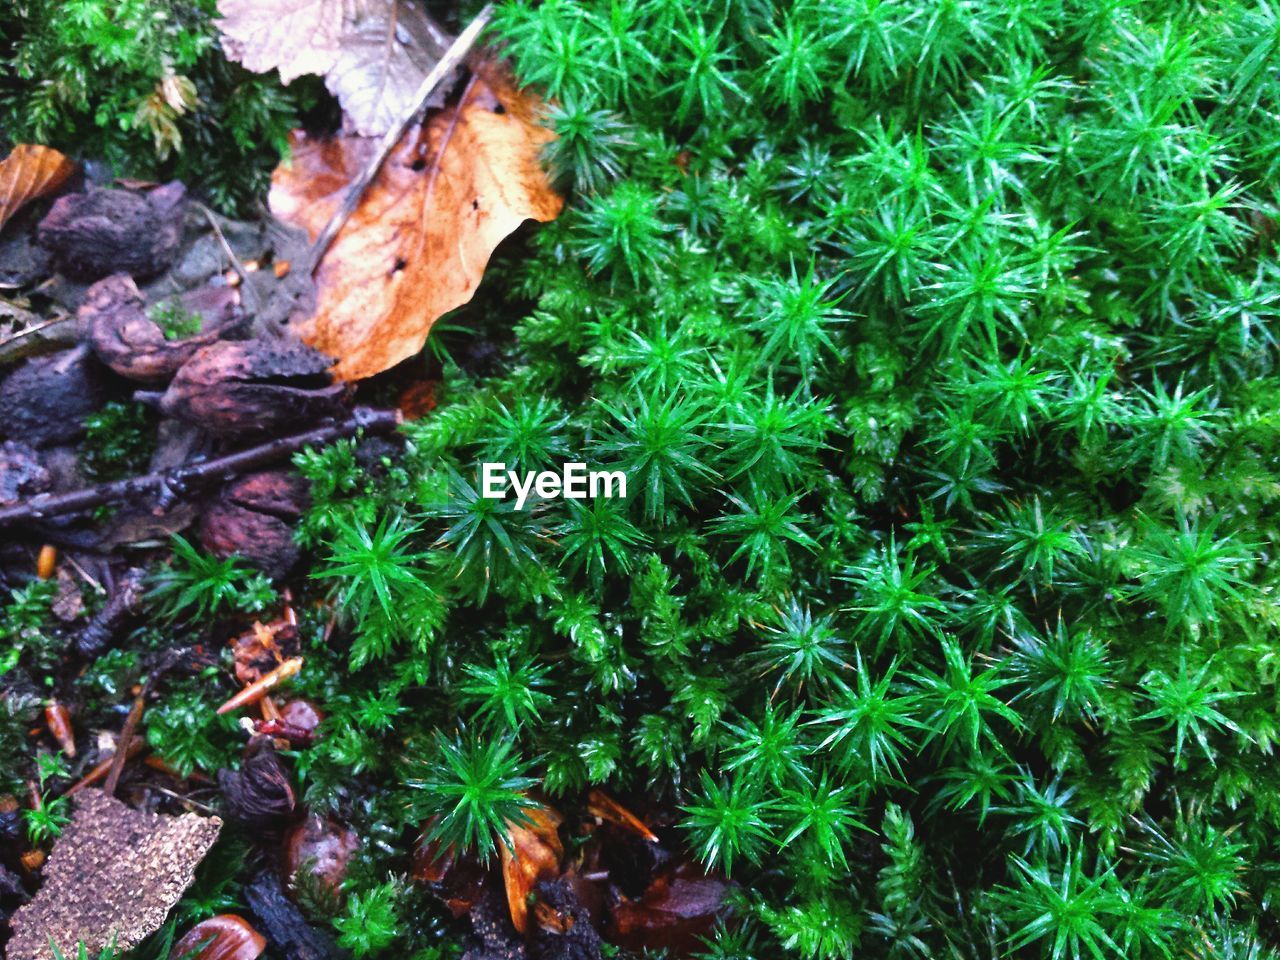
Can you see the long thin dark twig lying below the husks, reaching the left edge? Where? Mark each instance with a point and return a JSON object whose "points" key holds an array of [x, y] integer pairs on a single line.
{"points": [[193, 477]]}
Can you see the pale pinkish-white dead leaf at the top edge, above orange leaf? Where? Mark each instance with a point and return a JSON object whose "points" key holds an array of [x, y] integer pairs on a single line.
{"points": [[372, 53]]}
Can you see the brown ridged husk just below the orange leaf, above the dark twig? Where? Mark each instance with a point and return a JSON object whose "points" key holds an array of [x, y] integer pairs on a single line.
{"points": [[254, 387]]}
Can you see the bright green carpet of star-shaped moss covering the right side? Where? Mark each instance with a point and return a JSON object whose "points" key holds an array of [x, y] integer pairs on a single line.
{"points": [[939, 345]]}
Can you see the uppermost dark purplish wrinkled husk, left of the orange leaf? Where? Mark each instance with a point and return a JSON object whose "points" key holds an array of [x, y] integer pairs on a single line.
{"points": [[115, 231]]}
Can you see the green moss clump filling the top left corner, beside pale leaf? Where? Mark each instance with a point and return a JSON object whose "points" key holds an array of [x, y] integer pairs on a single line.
{"points": [[171, 104]]}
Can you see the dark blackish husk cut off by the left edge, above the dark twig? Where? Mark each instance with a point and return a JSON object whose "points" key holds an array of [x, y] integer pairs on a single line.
{"points": [[45, 401]]}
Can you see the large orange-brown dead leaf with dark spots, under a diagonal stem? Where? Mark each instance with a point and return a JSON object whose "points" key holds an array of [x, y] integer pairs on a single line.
{"points": [[419, 243]]}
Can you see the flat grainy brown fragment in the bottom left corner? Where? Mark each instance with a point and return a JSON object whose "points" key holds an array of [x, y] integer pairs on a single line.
{"points": [[115, 874]]}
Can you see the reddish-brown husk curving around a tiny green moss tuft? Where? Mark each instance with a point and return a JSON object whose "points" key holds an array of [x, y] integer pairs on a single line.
{"points": [[130, 342]]}
